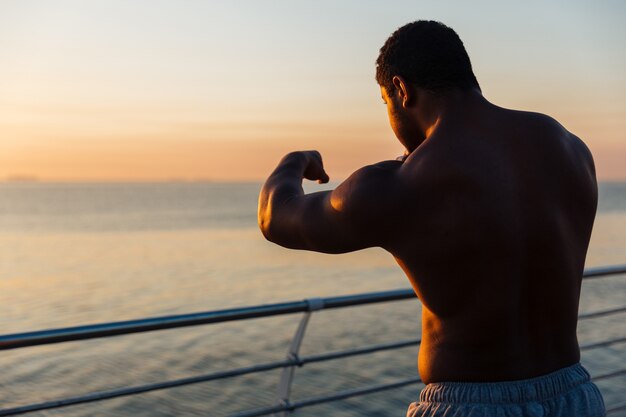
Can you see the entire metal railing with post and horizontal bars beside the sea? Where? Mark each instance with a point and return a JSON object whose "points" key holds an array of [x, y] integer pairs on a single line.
{"points": [[284, 405]]}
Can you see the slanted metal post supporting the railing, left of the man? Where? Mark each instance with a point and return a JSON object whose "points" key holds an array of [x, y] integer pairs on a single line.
{"points": [[286, 377]]}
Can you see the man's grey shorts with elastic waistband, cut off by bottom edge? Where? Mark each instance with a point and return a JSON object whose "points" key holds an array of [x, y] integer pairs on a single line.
{"points": [[568, 392]]}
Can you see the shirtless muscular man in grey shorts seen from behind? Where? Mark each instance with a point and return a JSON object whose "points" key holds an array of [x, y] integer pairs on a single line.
{"points": [[489, 215]]}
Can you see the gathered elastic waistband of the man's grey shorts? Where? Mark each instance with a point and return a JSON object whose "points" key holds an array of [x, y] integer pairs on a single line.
{"points": [[519, 391]]}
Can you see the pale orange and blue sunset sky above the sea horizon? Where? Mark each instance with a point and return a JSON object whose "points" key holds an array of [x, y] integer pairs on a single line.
{"points": [[220, 90]]}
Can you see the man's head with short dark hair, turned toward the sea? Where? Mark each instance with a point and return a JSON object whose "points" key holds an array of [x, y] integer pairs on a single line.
{"points": [[420, 65]]}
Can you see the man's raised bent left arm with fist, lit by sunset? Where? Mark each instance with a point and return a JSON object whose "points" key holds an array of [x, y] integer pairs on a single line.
{"points": [[356, 215]]}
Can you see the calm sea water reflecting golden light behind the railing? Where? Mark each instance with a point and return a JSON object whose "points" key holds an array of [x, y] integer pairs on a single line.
{"points": [[73, 254]]}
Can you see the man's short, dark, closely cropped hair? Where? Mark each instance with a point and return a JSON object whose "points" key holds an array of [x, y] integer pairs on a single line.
{"points": [[428, 54]]}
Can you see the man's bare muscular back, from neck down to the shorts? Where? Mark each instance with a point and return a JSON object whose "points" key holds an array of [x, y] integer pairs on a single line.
{"points": [[494, 236]]}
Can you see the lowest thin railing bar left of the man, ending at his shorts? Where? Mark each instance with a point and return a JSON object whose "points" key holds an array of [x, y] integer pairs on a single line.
{"points": [[342, 395]]}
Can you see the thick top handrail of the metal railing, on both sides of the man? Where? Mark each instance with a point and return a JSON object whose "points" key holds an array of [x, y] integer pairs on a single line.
{"points": [[42, 337]]}
